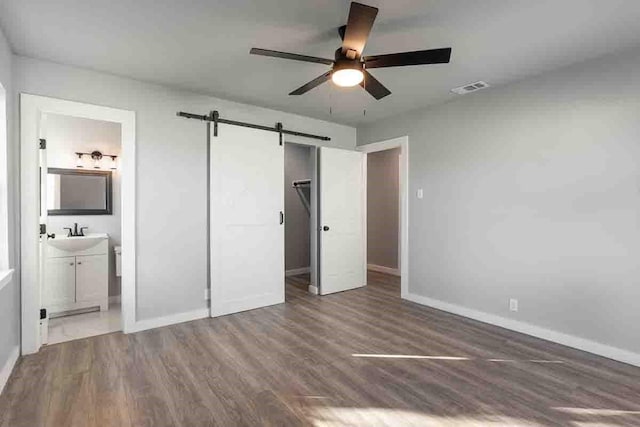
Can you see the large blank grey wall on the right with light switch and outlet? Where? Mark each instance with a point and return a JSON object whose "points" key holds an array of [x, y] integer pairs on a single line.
{"points": [[532, 191]]}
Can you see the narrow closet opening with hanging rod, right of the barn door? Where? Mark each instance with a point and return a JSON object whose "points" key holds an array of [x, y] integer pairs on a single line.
{"points": [[300, 215]]}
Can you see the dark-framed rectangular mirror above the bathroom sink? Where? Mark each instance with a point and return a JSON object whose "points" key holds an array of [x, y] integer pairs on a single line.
{"points": [[78, 192]]}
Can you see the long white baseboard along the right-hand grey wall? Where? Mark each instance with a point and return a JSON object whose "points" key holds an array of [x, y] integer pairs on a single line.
{"points": [[528, 329]]}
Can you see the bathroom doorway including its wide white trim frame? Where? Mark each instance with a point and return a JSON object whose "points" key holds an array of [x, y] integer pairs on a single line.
{"points": [[78, 217]]}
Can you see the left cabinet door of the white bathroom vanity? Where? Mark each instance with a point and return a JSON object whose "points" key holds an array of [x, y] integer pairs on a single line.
{"points": [[60, 281]]}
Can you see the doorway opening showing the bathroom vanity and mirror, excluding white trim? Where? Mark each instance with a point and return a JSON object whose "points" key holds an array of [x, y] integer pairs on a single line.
{"points": [[81, 207]]}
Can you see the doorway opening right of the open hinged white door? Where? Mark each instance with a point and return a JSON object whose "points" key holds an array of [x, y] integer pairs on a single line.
{"points": [[383, 217]]}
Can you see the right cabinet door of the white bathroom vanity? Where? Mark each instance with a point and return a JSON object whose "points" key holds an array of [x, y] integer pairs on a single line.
{"points": [[92, 277]]}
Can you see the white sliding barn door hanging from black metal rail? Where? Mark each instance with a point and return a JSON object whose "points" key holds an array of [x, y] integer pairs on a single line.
{"points": [[247, 222]]}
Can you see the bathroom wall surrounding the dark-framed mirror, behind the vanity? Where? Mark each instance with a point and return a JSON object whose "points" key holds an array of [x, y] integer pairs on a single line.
{"points": [[67, 135]]}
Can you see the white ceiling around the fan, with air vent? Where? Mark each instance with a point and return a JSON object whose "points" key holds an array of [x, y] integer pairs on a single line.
{"points": [[203, 45]]}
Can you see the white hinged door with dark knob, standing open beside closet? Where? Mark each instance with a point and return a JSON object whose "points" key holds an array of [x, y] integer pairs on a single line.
{"points": [[342, 220]]}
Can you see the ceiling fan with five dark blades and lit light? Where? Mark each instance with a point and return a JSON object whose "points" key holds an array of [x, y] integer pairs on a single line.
{"points": [[349, 67]]}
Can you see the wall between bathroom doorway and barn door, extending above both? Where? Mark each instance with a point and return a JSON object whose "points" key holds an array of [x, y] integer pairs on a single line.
{"points": [[171, 172]]}
